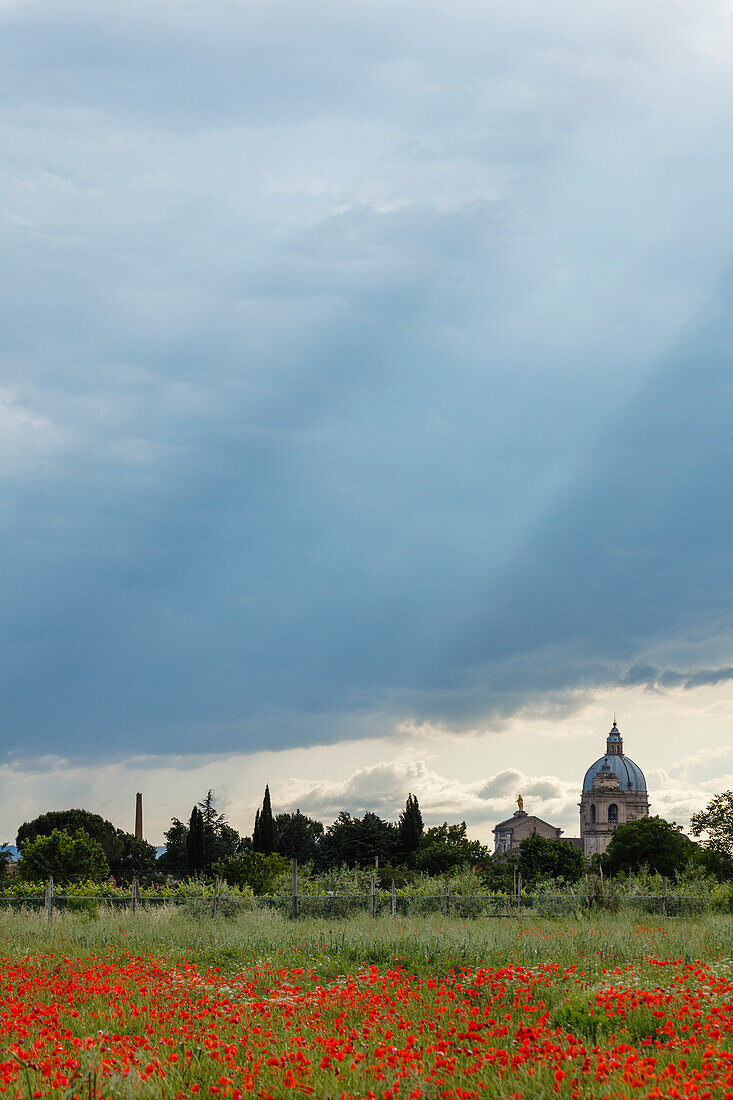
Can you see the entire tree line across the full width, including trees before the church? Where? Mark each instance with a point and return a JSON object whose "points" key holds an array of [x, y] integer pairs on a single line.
{"points": [[78, 845]]}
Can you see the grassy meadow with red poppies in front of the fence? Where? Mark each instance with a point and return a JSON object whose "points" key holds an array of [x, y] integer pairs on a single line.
{"points": [[159, 1007]]}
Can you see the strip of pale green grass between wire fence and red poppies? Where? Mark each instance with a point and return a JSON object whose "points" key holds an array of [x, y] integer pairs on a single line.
{"points": [[426, 945]]}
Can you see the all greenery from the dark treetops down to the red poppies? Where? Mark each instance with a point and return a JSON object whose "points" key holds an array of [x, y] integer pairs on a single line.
{"points": [[420, 965]]}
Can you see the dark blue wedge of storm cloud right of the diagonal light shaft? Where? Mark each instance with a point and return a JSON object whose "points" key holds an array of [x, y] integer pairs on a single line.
{"points": [[634, 556]]}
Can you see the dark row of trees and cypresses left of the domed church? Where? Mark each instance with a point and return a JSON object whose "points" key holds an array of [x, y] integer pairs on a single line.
{"points": [[80, 845]]}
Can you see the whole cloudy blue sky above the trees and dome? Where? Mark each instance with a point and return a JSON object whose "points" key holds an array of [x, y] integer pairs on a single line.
{"points": [[365, 404]]}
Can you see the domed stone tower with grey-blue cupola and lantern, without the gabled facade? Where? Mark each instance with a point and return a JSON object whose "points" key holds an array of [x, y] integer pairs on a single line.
{"points": [[615, 793]]}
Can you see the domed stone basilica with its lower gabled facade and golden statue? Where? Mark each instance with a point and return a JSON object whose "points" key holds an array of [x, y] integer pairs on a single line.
{"points": [[614, 793]]}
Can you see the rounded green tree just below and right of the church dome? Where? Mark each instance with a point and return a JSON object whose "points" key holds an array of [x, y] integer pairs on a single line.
{"points": [[650, 842]]}
